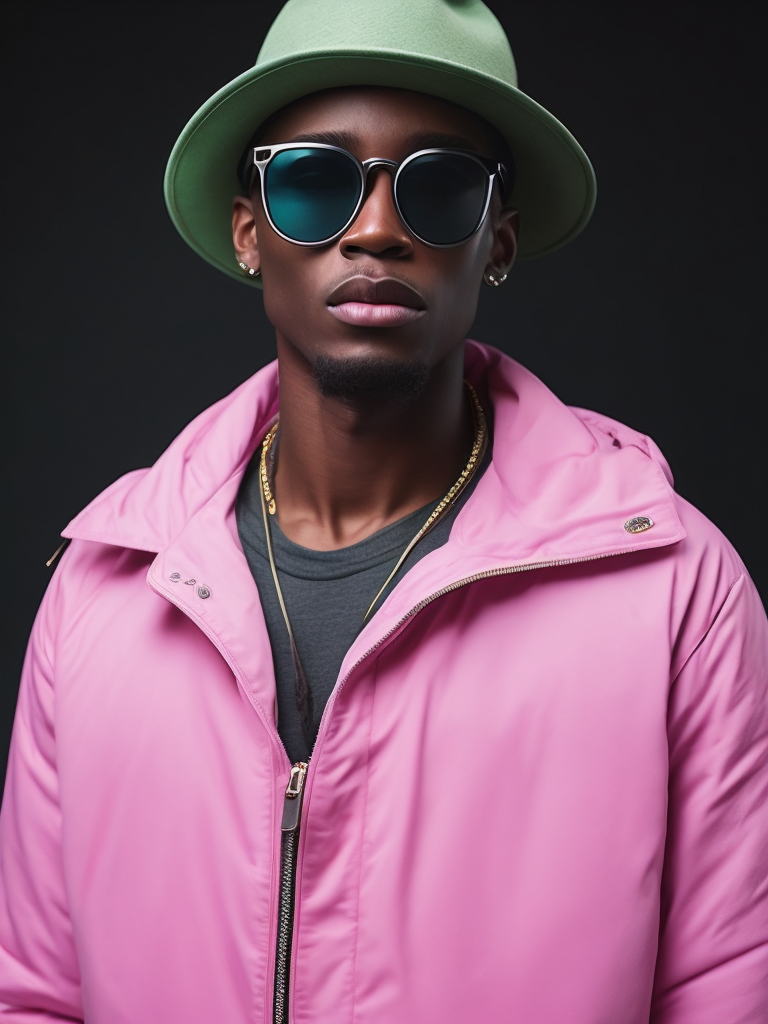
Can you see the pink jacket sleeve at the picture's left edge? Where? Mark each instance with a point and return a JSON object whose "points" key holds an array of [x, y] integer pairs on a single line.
{"points": [[39, 977]]}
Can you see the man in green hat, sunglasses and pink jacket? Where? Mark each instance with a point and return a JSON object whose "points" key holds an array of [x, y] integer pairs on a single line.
{"points": [[440, 706]]}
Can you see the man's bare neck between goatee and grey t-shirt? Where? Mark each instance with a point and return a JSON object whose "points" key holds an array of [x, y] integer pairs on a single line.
{"points": [[349, 468]]}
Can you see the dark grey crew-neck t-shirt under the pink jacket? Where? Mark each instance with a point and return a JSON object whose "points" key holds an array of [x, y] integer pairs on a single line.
{"points": [[327, 594]]}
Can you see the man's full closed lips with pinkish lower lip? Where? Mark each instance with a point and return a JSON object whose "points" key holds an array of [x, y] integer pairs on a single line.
{"points": [[375, 303]]}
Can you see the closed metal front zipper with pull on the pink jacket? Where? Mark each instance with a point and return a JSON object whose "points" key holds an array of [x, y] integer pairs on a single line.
{"points": [[290, 828]]}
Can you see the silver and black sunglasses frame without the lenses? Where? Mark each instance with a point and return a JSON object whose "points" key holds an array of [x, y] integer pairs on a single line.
{"points": [[264, 155]]}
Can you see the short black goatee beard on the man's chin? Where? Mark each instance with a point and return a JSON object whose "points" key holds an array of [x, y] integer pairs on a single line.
{"points": [[380, 381]]}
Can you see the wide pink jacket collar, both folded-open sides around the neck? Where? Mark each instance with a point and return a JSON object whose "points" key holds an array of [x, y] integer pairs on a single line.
{"points": [[562, 485]]}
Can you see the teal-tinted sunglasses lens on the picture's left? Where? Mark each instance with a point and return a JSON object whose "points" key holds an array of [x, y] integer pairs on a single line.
{"points": [[312, 194]]}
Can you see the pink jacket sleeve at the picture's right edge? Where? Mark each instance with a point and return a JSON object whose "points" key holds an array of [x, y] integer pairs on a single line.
{"points": [[713, 957]]}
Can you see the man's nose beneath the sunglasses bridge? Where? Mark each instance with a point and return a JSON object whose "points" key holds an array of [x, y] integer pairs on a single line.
{"points": [[378, 228]]}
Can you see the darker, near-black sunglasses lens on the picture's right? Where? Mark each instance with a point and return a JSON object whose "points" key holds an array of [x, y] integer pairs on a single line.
{"points": [[442, 197]]}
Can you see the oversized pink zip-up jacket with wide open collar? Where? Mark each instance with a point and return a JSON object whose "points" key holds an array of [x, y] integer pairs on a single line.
{"points": [[540, 791]]}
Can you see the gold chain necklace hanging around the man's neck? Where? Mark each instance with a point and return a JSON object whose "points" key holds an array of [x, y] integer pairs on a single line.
{"points": [[269, 505]]}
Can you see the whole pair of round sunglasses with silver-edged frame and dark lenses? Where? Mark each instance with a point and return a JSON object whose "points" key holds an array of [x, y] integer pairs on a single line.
{"points": [[312, 193]]}
